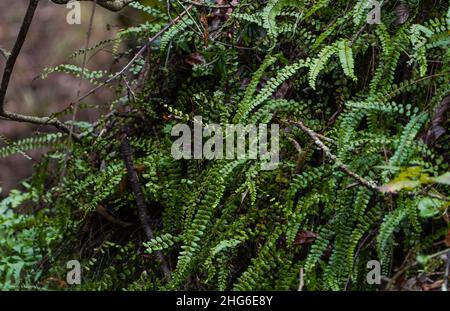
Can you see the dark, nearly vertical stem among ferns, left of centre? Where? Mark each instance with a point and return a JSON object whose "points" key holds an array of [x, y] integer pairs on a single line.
{"points": [[127, 155]]}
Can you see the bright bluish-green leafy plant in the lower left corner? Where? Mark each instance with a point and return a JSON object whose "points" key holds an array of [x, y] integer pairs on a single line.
{"points": [[27, 238]]}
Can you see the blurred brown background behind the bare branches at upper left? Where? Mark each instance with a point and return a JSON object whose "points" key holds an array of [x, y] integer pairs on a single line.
{"points": [[51, 40]]}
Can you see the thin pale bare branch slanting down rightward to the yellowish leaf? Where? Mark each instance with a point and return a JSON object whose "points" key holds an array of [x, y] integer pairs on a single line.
{"points": [[369, 184]]}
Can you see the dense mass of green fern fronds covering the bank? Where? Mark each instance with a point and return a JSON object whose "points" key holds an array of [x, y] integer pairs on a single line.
{"points": [[374, 93]]}
